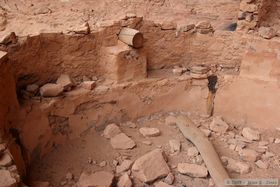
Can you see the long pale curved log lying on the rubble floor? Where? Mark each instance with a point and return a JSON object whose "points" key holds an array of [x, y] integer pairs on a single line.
{"points": [[206, 149]]}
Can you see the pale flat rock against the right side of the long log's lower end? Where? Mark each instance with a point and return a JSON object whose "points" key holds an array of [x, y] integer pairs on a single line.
{"points": [[236, 166]]}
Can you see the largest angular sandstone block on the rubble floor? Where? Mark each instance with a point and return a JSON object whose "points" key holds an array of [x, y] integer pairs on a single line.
{"points": [[150, 166]]}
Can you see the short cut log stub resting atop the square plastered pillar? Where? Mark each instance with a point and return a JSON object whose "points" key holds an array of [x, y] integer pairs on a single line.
{"points": [[132, 37]]}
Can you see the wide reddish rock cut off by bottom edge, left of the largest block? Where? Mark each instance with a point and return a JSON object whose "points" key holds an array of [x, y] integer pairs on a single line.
{"points": [[98, 179]]}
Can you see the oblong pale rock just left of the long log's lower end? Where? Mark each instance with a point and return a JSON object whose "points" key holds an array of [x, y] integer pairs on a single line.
{"points": [[192, 170]]}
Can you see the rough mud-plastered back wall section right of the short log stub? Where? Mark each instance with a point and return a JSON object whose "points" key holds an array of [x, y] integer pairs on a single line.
{"points": [[164, 49]]}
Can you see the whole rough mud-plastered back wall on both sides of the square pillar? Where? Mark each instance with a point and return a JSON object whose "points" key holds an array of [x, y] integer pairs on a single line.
{"points": [[44, 57]]}
